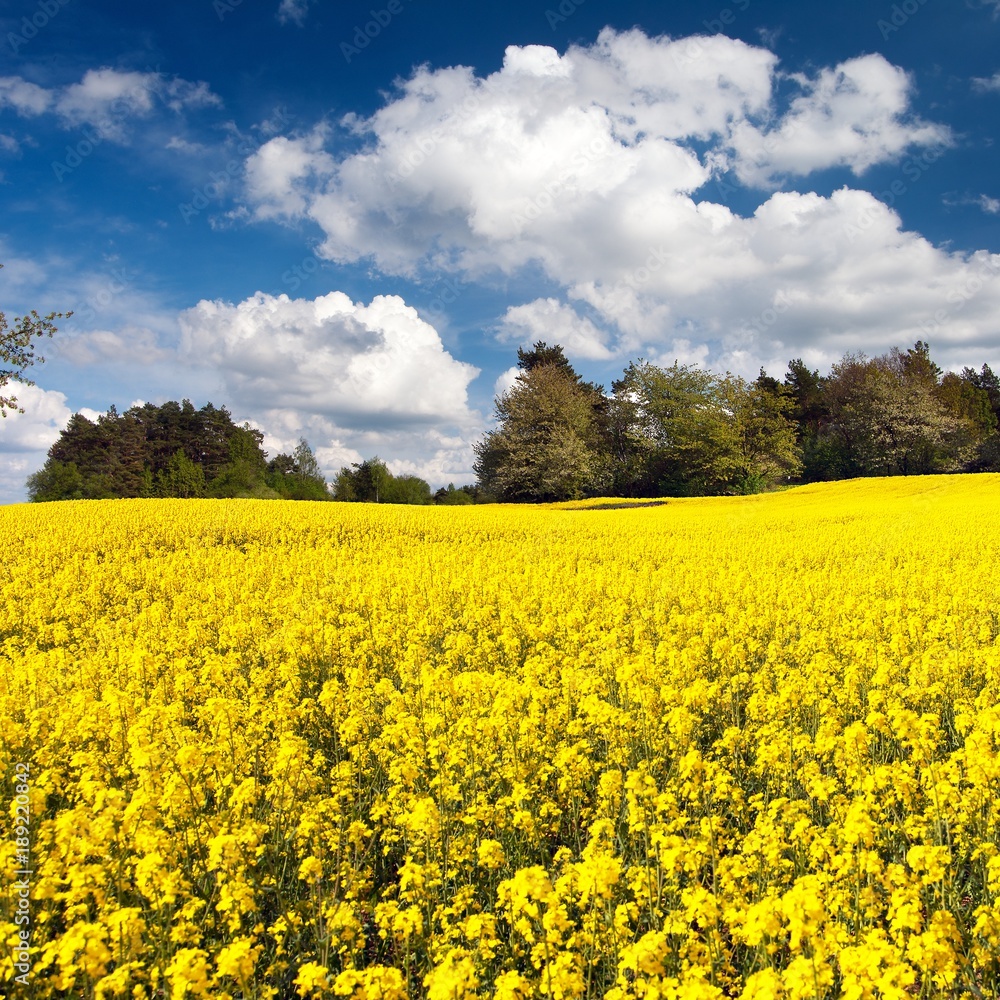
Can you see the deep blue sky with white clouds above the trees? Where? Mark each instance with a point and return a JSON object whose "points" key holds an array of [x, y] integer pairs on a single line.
{"points": [[340, 220]]}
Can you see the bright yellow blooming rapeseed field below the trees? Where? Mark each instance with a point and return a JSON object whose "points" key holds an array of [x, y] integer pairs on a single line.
{"points": [[738, 747]]}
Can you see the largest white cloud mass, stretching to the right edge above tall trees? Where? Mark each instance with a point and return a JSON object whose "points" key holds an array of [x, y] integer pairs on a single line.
{"points": [[591, 169]]}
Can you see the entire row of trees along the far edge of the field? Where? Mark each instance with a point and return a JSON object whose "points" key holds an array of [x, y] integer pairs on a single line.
{"points": [[661, 431]]}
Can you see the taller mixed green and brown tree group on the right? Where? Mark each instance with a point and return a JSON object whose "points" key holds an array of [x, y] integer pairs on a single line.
{"points": [[684, 431]]}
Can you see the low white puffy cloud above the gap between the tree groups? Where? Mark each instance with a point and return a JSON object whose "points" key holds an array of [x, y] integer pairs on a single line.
{"points": [[355, 379]]}
